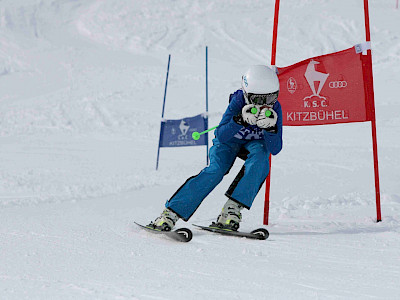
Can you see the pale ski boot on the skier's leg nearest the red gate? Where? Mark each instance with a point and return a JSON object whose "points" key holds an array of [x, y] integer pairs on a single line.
{"points": [[230, 216]]}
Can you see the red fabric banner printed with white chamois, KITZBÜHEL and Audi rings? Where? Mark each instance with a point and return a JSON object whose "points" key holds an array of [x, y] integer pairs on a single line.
{"points": [[327, 89]]}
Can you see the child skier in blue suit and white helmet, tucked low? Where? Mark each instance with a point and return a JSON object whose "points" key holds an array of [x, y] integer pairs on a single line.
{"points": [[251, 128]]}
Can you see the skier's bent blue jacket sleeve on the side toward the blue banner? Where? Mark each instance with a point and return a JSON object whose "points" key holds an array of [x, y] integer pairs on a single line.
{"points": [[227, 128]]}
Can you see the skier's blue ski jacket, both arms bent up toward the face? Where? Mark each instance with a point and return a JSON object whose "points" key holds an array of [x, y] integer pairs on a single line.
{"points": [[228, 129]]}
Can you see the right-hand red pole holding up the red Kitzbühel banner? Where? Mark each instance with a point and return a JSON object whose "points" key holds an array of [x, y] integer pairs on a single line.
{"points": [[372, 114]]}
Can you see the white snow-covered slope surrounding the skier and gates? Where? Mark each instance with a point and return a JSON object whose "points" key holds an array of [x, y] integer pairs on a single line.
{"points": [[81, 89]]}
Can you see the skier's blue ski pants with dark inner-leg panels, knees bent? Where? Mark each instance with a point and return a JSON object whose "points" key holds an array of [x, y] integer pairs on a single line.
{"points": [[243, 189]]}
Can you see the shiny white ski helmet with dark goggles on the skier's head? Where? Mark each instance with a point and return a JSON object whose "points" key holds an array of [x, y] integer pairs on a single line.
{"points": [[260, 85]]}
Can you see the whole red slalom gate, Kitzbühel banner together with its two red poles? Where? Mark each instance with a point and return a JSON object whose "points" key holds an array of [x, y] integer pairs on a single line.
{"points": [[328, 89]]}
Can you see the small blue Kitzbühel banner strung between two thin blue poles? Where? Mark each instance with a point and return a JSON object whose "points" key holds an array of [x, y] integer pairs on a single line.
{"points": [[178, 133]]}
